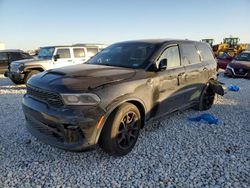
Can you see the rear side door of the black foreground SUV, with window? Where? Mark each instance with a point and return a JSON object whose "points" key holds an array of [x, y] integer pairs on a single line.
{"points": [[194, 68]]}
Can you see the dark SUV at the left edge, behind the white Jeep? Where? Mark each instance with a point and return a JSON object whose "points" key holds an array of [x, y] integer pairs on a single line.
{"points": [[7, 56]]}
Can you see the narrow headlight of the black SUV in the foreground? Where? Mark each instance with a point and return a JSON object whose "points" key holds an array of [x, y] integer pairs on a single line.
{"points": [[80, 99]]}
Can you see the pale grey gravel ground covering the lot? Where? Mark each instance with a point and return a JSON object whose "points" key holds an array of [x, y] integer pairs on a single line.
{"points": [[173, 153]]}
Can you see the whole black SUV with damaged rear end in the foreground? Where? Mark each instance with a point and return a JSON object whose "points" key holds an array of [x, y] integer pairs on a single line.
{"points": [[121, 89]]}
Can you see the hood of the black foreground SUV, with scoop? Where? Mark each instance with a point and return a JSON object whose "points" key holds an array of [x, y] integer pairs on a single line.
{"points": [[79, 78]]}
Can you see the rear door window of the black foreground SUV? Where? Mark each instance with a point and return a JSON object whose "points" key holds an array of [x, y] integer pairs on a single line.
{"points": [[190, 54]]}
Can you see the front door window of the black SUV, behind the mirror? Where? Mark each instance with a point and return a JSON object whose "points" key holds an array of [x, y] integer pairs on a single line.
{"points": [[173, 57]]}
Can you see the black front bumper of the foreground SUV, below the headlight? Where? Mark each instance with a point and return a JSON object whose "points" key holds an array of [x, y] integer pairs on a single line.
{"points": [[68, 128]]}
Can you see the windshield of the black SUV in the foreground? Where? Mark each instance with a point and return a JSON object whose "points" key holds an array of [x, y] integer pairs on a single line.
{"points": [[130, 55]]}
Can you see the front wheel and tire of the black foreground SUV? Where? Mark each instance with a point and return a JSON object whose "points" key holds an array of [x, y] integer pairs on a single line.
{"points": [[121, 131]]}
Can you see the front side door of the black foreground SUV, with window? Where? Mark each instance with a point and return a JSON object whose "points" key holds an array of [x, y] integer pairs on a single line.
{"points": [[170, 86]]}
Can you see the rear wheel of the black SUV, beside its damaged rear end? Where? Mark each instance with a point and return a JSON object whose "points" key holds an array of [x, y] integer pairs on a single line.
{"points": [[206, 99]]}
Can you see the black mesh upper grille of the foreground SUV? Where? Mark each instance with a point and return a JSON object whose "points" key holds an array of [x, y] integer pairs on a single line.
{"points": [[50, 98]]}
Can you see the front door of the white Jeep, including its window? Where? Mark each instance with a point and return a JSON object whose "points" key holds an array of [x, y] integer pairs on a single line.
{"points": [[64, 57]]}
